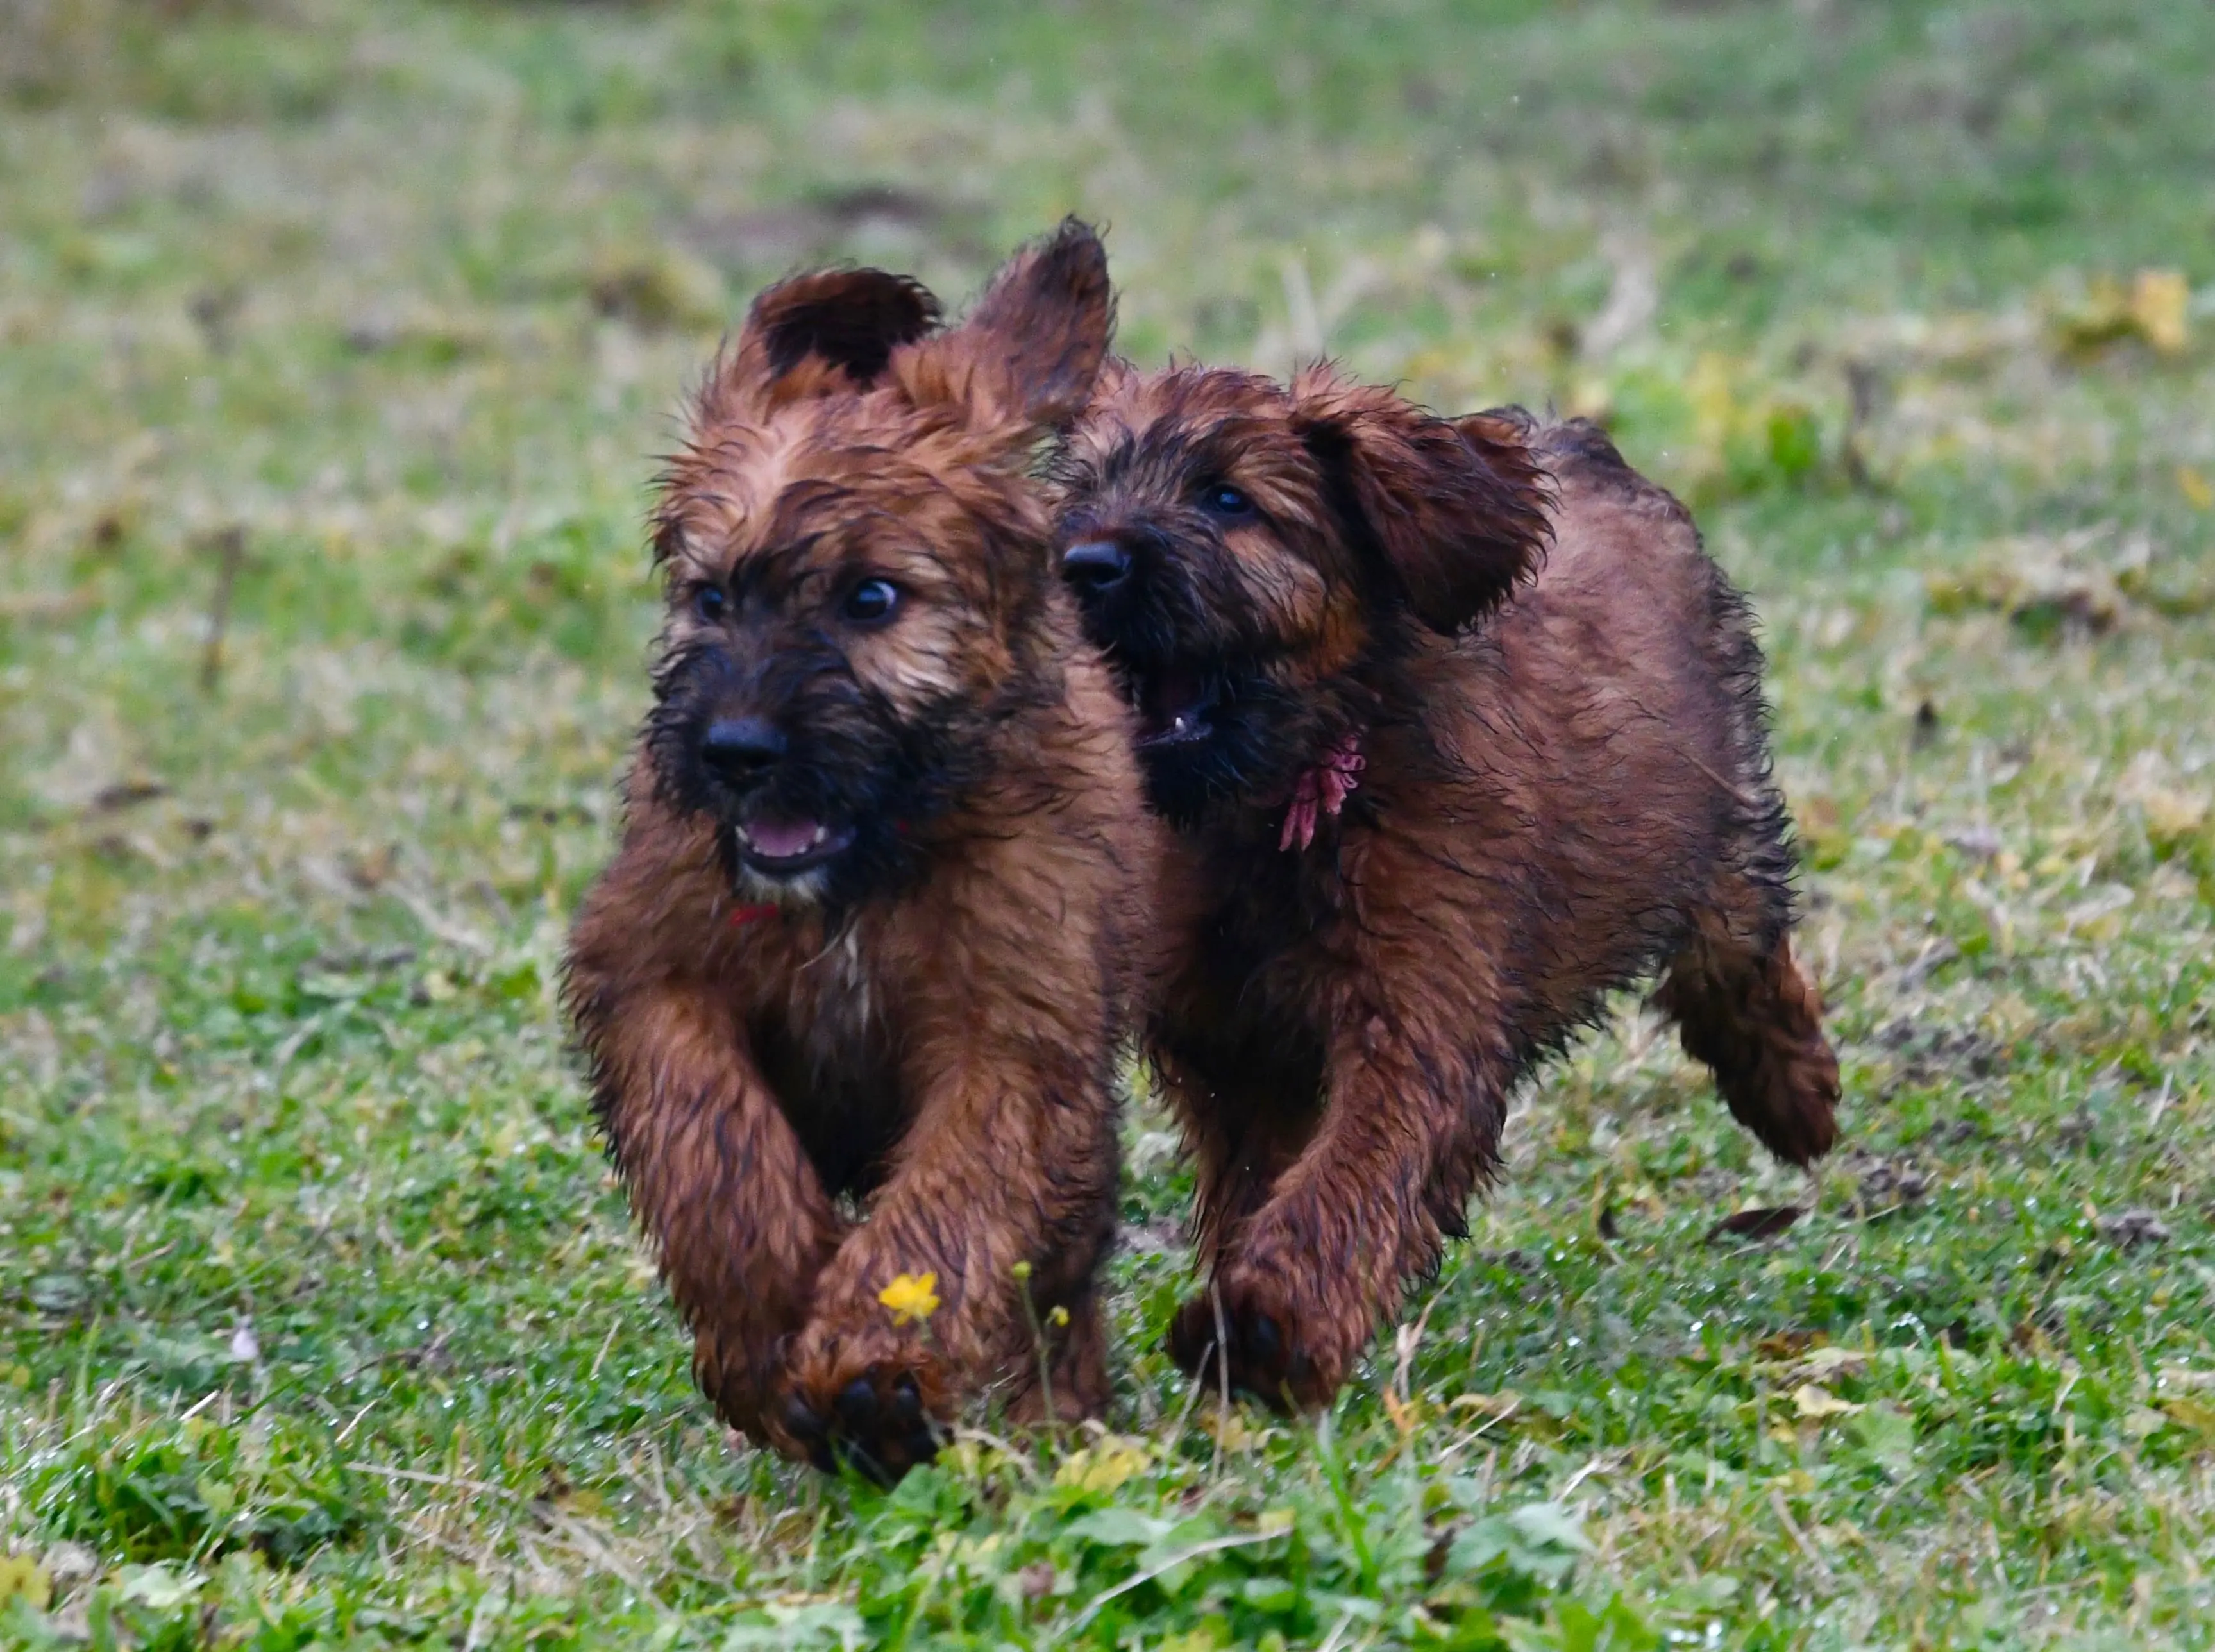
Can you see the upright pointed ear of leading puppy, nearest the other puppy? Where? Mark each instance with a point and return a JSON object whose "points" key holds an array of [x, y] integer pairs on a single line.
{"points": [[1033, 347]]}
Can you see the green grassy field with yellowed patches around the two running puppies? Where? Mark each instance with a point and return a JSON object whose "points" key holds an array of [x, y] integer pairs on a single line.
{"points": [[336, 349]]}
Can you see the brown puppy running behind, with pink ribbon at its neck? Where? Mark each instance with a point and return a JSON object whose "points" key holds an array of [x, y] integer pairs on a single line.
{"points": [[1461, 730]]}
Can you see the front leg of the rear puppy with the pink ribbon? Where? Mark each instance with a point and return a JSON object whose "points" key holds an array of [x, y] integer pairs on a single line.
{"points": [[1412, 1122]]}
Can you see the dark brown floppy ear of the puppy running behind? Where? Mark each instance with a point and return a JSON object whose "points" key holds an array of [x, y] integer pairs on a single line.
{"points": [[1459, 513]]}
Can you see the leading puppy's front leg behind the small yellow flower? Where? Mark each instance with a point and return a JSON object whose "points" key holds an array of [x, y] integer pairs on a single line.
{"points": [[1005, 1188]]}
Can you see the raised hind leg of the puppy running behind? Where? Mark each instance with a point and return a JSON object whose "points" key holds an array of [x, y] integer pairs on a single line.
{"points": [[1747, 1011]]}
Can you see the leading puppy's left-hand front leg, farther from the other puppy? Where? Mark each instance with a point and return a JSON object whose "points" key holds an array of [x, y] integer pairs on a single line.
{"points": [[717, 1177]]}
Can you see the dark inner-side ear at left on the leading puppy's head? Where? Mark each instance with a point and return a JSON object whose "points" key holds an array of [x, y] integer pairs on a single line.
{"points": [[827, 329]]}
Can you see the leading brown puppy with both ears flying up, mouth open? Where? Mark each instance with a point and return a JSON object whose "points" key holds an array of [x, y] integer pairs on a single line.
{"points": [[874, 931]]}
